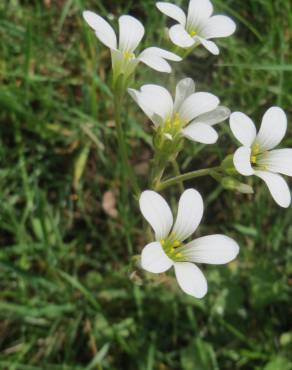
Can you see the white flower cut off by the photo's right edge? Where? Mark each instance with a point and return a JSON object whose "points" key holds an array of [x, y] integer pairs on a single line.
{"points": [[255, 157]]}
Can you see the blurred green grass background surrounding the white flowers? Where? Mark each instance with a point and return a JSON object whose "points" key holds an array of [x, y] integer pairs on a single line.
{"points": [[71, 296]]}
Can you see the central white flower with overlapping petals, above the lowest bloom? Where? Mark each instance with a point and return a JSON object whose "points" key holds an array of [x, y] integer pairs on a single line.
{"points": [[199, 111]]}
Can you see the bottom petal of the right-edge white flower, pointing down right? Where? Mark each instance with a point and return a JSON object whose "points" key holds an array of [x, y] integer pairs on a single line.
{"points": [[278, 187]]}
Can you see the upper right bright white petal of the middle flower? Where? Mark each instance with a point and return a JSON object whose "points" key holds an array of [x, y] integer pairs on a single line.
{"points": [[197, 104]]}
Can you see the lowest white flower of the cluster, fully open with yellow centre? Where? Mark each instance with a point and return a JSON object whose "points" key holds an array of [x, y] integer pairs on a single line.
{"points": [[169, 249]]}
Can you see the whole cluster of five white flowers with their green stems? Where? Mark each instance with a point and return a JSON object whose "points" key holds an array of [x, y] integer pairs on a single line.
{"points": [[191, 114]]}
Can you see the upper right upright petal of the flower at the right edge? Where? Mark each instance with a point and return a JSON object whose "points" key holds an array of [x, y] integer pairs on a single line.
{"points": [[273, 128]]}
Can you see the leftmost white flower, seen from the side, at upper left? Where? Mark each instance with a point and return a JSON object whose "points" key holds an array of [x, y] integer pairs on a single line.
{"points": [[131, 32]]}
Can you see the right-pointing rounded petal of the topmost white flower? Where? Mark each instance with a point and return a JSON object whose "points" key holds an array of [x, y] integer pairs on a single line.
{"points": [[218, 26]]}
